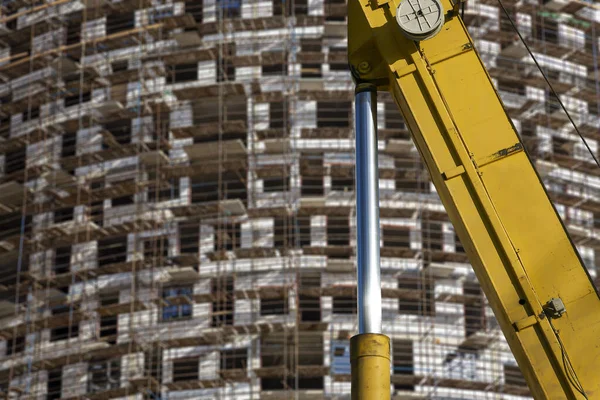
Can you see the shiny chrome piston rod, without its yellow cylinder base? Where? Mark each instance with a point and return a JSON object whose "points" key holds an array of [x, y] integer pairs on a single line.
{"points": [[367, 212]]}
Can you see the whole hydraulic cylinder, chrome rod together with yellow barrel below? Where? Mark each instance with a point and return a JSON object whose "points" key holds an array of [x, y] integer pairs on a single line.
{"points": [[369, 350]]}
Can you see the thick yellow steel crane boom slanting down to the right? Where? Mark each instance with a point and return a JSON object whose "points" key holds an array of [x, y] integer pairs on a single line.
{"points": [[519, 249]]}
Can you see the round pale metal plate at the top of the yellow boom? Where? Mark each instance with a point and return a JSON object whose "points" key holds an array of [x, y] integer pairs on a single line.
{"points": [[420, 19]]}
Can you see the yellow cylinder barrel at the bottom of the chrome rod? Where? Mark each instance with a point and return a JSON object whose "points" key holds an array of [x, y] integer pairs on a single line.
{"points": [[370, 362]]}
